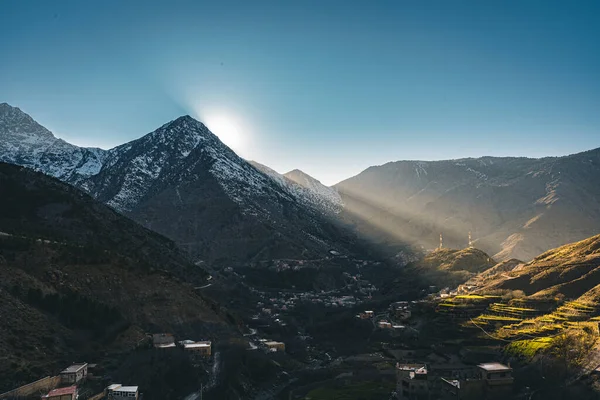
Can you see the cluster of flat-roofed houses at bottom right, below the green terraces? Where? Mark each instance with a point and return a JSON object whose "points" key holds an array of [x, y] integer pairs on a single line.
{"points": [[490, 381]]}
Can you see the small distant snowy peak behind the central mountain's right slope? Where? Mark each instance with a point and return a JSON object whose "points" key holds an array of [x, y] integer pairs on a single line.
{"points": [[306, 188]]}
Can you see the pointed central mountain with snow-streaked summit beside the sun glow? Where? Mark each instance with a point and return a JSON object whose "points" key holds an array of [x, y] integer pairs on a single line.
{"points": [[183, 182]]}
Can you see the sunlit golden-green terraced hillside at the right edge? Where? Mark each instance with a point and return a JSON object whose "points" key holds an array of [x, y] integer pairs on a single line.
{"points": [[528, 305]]}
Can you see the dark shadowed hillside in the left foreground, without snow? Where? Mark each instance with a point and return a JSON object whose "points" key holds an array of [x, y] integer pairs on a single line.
{"points": [[80, 281]]}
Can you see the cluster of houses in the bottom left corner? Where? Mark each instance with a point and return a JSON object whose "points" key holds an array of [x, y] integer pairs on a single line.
{"points": [[72, 377]]}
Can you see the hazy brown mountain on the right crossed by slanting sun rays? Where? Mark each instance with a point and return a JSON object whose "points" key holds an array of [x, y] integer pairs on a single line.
{"points": [[514, 207]]}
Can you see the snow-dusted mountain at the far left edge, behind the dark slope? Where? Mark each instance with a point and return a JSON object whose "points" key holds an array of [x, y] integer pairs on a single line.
{"points": [[25, 142]]}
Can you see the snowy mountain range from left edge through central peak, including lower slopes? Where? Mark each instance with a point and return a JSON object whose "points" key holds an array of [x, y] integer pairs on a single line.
{"points": [[183, 182]]}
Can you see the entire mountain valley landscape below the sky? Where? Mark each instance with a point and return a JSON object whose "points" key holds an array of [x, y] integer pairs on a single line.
{"points": [[407, 280]]}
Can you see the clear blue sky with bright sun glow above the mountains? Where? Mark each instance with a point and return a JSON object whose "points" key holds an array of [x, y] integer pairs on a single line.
{"points": [[329, 87]]}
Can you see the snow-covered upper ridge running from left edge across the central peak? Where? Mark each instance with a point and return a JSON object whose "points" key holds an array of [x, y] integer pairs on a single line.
{"points": [[142, 163]]}
